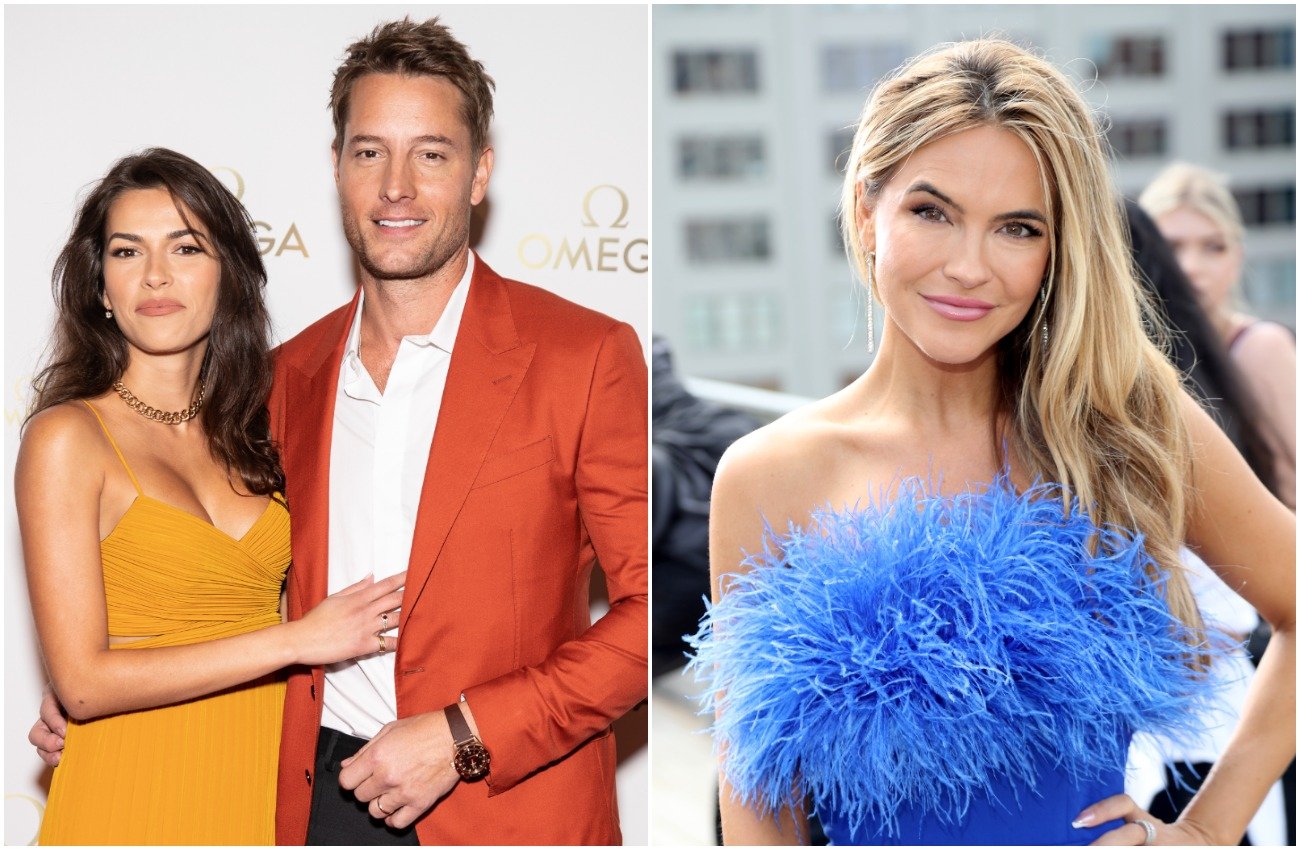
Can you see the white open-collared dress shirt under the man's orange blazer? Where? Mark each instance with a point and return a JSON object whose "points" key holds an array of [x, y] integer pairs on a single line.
{"points": [[379, 454]]}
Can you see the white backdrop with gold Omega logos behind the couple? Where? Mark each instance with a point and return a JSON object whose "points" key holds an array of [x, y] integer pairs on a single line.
{"points": [[245, 92]]}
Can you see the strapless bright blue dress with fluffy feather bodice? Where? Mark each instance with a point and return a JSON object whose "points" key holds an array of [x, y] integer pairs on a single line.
{"points": [[944, 670]]}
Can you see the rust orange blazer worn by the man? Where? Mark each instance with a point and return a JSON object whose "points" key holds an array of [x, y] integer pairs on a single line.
{"points": [[538, 471]]}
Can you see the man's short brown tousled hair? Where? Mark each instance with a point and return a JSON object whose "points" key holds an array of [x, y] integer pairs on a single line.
{"points": [[428, 49]]}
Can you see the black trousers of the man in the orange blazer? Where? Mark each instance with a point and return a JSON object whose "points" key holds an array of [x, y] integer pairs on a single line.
{"points": [[337, 817]]}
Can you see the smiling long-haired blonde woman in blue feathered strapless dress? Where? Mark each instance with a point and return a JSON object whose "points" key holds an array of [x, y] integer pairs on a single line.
{"points": [[947, 596]]}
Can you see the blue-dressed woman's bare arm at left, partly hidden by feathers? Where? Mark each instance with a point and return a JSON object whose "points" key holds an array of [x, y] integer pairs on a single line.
{"points": [[735, 527]]}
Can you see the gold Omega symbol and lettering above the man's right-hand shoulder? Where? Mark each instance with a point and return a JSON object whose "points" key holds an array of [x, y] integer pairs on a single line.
{"points": [[604, 207]]}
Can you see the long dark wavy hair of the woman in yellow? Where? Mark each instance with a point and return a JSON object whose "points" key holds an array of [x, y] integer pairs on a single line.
{"points": [[89, 353]]}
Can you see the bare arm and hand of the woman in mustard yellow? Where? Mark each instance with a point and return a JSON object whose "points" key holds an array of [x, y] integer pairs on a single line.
{"points": [[59, 480]]}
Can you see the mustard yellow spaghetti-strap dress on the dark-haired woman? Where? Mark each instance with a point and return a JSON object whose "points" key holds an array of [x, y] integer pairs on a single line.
{"points": [[202, 771]]}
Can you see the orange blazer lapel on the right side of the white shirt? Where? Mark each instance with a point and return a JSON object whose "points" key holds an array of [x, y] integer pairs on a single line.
{"points": [[488, 366]]}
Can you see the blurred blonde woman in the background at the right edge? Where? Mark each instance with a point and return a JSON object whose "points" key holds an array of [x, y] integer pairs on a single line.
{"points": [[1201, 220]]}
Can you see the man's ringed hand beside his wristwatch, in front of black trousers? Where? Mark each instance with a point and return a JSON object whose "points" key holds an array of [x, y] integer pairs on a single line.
{"points": [[405, 770]]}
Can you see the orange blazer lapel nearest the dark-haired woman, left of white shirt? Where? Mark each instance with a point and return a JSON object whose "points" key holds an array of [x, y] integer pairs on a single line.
{"points": [[306, 453]]}
